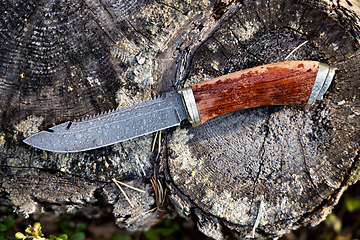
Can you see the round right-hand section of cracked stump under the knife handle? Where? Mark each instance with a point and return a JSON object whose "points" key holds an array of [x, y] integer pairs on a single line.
{"points": [[296, 161]]}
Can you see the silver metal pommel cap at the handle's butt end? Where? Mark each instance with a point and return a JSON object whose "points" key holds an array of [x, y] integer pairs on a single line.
{"points": [[323, 80]]}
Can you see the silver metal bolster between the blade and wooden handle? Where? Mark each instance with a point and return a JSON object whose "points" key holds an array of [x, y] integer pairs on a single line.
{"points": [[190, 106]]}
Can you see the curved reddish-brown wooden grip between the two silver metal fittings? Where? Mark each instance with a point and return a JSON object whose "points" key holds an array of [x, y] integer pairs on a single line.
{"points": [[285, 83]]}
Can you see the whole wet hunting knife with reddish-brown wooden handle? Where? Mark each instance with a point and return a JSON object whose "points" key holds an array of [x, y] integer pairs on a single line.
{"points": [[295, 83]]}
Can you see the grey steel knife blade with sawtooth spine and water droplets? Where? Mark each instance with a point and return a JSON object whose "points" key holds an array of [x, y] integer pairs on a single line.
{"points": [[113, 127]]}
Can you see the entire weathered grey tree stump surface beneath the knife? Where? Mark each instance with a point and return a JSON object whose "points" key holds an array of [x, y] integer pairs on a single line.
{"points": [[285, 166]]}
